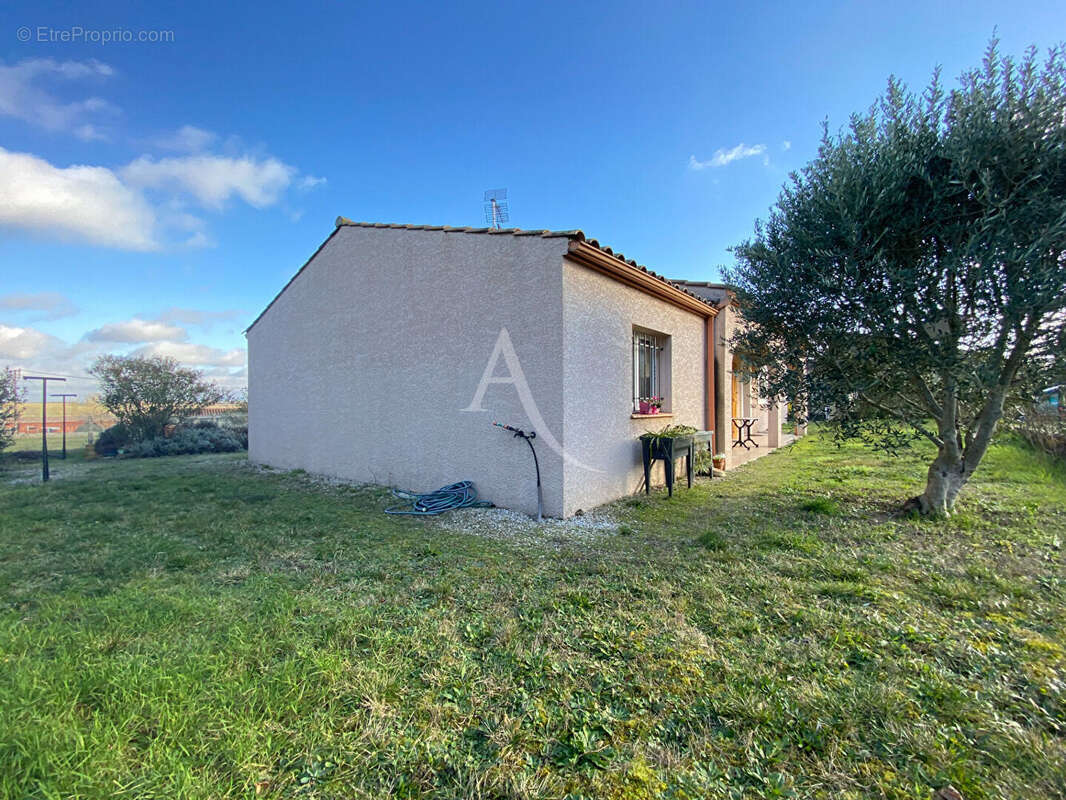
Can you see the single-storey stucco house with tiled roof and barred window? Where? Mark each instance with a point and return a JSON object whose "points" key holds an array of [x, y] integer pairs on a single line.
{"points": [[390, 355]]}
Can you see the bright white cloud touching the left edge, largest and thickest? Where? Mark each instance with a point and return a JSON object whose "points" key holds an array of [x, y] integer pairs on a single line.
{"points": [[86, 203]]}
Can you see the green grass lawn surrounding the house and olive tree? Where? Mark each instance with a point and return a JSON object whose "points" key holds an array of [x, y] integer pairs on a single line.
{"points": [[191, 628]]}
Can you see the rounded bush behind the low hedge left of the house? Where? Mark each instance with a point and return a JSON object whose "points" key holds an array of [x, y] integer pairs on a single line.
{"points": [[149, 394]]}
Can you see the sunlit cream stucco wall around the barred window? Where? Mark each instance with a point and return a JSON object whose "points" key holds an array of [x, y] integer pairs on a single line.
{"points": [[599, 319]]}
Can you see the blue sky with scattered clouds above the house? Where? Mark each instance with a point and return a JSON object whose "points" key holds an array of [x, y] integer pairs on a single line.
{"points": [[166, 168]]}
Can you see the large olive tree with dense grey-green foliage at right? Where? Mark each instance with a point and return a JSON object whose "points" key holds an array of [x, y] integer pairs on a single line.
{"points": [[913, 276]]}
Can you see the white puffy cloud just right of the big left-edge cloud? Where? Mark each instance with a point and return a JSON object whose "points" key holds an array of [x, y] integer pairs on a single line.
{"points": [[215, 180]]}
